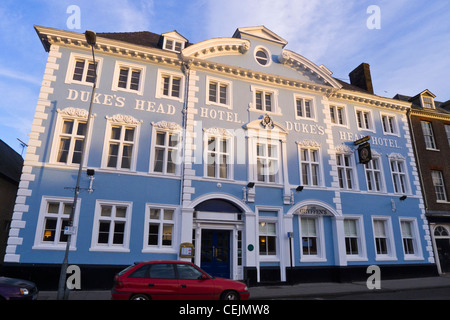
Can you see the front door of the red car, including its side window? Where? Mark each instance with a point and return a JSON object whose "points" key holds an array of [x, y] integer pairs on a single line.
{"points": [[194, 284]]}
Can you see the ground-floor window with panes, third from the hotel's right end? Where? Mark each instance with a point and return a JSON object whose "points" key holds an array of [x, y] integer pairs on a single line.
{"points": [[354, 242]]}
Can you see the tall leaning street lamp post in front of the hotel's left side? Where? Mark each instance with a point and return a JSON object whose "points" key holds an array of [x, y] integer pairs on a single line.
{"points": [[63, 292]]}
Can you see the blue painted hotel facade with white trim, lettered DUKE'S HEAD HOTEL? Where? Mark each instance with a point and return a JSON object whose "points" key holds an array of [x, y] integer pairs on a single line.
{"points": [[144, 206]]}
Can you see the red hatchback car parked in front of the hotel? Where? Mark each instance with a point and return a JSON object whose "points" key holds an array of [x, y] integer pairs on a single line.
{"points": [[174, 280]]}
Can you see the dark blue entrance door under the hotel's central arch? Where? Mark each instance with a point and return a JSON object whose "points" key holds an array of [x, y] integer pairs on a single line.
{"points": [[215, 253]]}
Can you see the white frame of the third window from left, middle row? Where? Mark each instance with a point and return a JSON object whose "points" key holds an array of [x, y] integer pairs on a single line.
{"points": [[178, 148]]}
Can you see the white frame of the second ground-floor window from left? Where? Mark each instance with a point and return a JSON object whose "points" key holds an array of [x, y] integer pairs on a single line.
{"points": [[111, 247]]}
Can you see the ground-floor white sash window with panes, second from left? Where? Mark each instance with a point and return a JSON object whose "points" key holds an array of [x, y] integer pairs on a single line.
{"points": [[111, 226]]}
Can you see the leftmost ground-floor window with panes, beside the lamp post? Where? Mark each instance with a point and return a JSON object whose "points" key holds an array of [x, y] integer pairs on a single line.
{"points": [[54, 216]]}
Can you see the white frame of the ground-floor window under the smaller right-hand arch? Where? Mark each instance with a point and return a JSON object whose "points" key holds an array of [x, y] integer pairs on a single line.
{"points": [[320, 240]]}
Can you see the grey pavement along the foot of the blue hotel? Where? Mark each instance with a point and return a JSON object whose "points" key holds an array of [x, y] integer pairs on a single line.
{"points": [[303, 290]]}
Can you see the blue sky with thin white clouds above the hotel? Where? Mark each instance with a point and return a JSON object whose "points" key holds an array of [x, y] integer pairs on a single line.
{"points": [[405, 42]]}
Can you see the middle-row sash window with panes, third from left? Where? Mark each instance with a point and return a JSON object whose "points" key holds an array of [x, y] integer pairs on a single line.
{"points": [[165, 155]]}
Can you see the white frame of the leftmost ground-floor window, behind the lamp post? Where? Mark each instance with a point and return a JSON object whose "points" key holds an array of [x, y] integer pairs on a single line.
{"points": [[39, 243]]}
